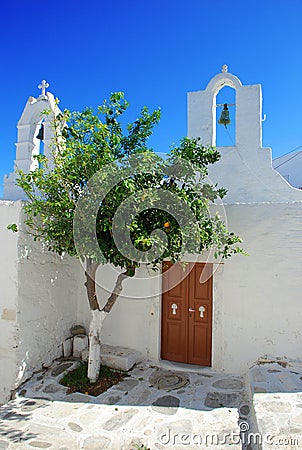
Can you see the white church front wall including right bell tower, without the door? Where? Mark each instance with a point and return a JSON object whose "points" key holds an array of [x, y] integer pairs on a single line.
{"points": [[256, 298]]}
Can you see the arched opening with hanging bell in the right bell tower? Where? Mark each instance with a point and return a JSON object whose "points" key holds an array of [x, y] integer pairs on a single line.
{"points": [[224, 109]]}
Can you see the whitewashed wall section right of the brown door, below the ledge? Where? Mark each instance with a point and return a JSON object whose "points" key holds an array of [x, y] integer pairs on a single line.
{"points": [[258, 297]]}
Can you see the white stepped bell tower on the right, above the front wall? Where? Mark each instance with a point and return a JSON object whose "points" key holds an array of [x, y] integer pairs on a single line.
{"points": [[245, 168]]}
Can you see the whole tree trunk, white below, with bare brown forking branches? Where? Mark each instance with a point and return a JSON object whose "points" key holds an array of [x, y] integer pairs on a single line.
{"points": [[98, 316]]}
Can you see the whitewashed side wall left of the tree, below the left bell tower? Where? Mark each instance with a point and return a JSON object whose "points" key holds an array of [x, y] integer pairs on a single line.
{"points": [[38, 302]]}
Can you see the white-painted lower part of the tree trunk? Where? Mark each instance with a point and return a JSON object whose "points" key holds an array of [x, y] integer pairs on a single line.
{"points": [[94, 360]]}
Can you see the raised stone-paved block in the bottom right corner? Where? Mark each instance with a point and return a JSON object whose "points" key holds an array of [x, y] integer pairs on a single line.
{"points": [[276, 393]]}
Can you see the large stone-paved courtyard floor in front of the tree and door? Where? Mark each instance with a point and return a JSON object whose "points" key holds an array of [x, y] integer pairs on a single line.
{"points": [[157, 408]]}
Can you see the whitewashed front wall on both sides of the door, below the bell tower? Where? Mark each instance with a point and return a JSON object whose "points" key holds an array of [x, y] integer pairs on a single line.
{"points": [[256, 299]]}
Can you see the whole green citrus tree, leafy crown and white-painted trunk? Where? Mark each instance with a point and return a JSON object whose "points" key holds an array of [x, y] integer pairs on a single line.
{"points": [[91, 150]]}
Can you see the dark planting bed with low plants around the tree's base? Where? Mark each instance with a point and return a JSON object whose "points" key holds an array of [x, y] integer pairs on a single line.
{"points": [[77, 380]]}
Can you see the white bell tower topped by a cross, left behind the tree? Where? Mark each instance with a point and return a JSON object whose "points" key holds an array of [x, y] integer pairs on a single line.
{"points": [[34, 136]]}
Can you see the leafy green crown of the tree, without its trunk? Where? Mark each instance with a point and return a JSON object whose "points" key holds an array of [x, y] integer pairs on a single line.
{"points": [[86, 142]]}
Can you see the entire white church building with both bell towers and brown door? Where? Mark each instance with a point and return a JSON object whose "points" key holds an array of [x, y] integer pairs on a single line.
{"points": [[249, 307]]}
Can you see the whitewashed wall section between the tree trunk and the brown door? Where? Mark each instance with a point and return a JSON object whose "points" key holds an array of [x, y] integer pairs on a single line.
{"points": [[134, 320]]}
